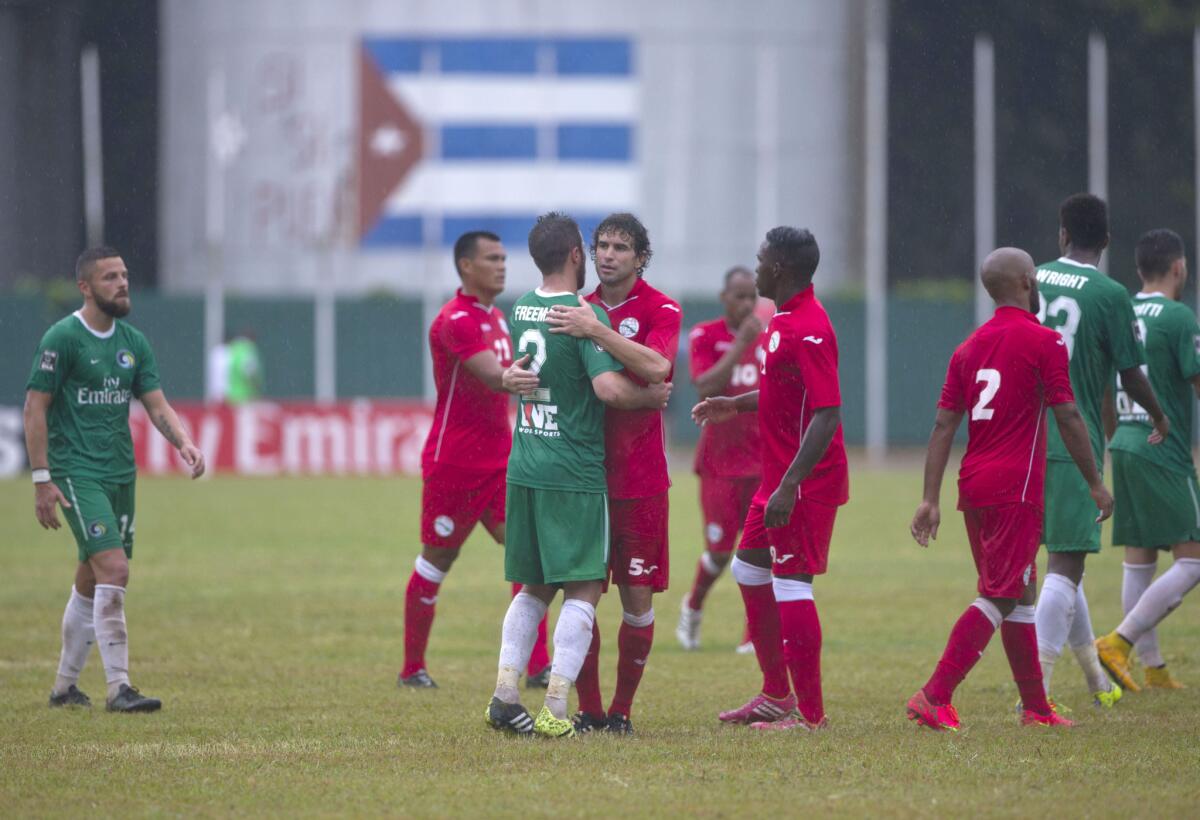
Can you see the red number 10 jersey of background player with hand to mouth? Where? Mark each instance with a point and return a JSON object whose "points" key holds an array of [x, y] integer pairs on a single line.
{"points": [[730, 450]]}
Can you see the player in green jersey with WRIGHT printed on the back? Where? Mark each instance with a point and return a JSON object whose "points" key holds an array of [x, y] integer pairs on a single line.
{"points": [[1096, 321]]}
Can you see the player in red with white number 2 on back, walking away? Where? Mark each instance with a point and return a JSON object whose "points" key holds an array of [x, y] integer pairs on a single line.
{"points": [[1006, 374]]}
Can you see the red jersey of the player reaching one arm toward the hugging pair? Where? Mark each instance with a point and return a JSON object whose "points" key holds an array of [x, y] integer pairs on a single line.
{"points": [[800, 376]]}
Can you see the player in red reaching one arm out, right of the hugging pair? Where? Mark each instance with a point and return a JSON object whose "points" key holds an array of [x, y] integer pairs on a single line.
{"points": [[785, 541]]}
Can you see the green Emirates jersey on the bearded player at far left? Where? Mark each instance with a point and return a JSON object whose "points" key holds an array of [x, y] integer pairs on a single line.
{"points": [[92, 379]]}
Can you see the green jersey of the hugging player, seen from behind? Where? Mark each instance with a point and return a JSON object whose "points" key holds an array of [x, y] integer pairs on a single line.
{"points": [[559, 442]]}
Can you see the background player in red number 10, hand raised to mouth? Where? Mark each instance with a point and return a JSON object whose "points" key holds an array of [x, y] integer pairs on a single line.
{"points": [[725, 358]]}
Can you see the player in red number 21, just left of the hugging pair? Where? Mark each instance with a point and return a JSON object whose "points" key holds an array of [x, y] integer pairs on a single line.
{"points": [[467, 450]]}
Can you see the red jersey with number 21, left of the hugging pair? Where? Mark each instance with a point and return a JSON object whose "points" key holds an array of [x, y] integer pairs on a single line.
{"points": [[471, 423]]}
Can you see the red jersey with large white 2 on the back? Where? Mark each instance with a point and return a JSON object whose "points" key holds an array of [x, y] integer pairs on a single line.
{"points": [[1006, 374]]}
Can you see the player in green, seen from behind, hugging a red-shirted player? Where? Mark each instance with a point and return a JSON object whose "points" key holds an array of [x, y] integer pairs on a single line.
{"points": [[557, 507]]}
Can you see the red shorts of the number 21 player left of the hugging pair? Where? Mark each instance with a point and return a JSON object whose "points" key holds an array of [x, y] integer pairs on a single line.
{"points": [[454, 500]]}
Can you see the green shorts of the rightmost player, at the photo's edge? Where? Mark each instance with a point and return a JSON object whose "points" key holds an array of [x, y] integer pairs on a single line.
{"points": [[1155, 507]]}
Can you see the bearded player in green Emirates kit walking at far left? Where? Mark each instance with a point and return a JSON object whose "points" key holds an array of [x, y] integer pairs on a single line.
{"points": [[88, 368]]}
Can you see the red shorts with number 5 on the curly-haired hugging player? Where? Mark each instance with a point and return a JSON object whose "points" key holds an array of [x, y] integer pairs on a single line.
{"points": [[639, 538]]}
